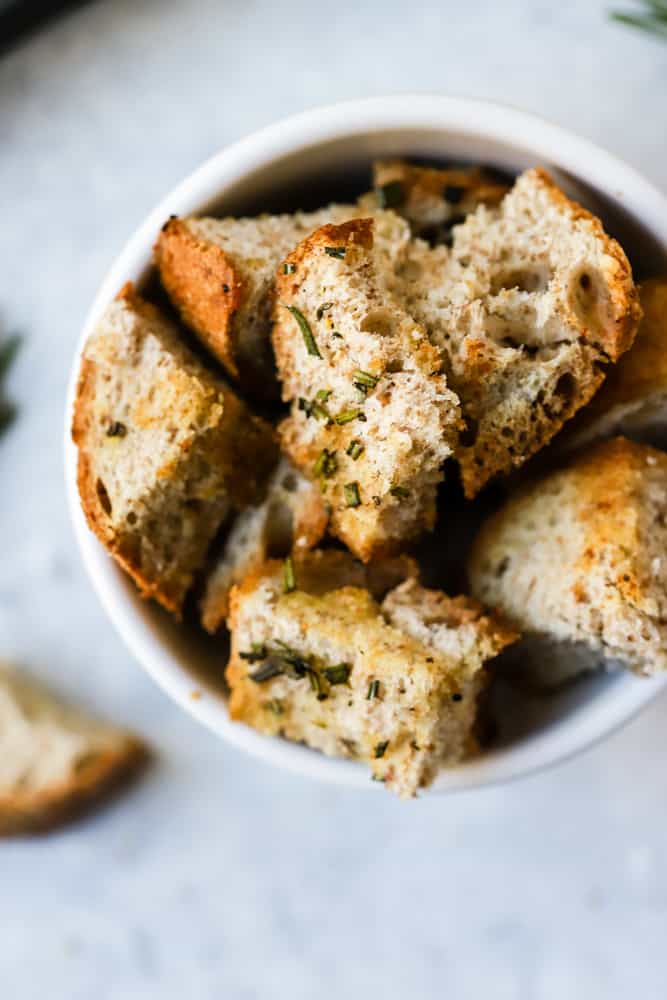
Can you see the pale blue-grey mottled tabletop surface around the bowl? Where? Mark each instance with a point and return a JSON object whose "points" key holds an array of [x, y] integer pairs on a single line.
{"points": [[219, 876]]}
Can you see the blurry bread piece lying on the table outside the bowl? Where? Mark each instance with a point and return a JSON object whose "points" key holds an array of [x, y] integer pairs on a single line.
{"points": [[55, 761]]}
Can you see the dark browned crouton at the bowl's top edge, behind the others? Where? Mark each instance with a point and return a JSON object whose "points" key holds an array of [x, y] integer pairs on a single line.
{"points": [[434, 199]]}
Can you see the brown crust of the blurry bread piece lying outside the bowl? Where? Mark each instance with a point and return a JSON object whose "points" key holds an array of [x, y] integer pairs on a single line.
{"points": [[98, 780]]}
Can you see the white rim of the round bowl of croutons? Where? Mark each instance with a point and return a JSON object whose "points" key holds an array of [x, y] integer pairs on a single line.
{"points": [[487, 120]]}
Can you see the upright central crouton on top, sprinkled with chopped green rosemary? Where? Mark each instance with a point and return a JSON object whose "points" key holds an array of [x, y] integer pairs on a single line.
{"points": [[371, 415]]}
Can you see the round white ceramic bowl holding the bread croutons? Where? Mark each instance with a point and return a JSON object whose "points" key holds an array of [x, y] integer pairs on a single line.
{"points": [[330, 145]]}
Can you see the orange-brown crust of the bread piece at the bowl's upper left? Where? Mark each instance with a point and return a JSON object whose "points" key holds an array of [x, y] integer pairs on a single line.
{"points": [[204, 285]]}
